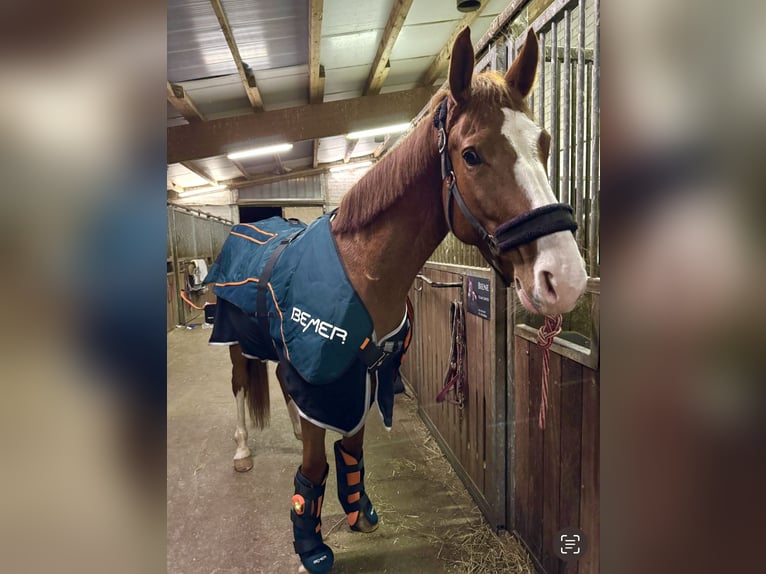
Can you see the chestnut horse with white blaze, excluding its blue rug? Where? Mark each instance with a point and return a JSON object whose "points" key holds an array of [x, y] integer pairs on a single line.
{"points": [[480, 150]]}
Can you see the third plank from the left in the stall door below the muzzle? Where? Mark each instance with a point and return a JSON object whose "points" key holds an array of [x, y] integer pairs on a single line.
{"points": [[552, 462]]}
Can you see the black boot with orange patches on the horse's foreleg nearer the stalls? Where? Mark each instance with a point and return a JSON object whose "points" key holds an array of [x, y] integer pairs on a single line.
{"points": [[355, 502]]}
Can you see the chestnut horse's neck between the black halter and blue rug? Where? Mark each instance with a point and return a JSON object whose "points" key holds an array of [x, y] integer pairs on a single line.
{"points": [[383, 257]]}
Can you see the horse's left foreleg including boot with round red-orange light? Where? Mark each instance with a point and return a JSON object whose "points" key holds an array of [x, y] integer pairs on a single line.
{"points": [[306, 511]]}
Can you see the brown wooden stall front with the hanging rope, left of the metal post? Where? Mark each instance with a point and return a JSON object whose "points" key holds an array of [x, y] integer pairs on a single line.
{"points": [[473, 438]]}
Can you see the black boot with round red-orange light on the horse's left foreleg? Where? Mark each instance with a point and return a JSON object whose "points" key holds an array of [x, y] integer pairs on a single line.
{"points": [[306, 514]]}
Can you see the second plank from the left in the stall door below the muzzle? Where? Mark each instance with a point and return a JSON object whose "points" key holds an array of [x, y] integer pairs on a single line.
{"points": [[535, 478]]}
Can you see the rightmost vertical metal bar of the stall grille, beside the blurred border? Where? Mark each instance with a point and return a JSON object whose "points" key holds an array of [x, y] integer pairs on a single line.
{"points": [[595, 141]]}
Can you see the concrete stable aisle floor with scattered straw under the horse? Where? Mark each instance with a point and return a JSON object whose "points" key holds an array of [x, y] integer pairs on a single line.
{"points": [[223, 522]]}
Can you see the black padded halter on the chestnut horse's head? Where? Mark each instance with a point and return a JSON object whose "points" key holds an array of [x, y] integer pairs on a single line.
{"points": [[512, 234]]}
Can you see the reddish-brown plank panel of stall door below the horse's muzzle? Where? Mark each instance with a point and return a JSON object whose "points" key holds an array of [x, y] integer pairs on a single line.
{"points": [[556, 469]]}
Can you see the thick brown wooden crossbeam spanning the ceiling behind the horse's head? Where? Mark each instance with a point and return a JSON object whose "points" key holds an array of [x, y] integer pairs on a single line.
{"points": [[218, 137]]}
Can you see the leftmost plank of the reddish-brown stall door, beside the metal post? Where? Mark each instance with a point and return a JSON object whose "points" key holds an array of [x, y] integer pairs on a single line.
{"points": [[521, 433]]}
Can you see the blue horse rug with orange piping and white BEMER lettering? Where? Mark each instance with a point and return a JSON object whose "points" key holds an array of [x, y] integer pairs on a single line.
{"points": [[283, 295]]}
